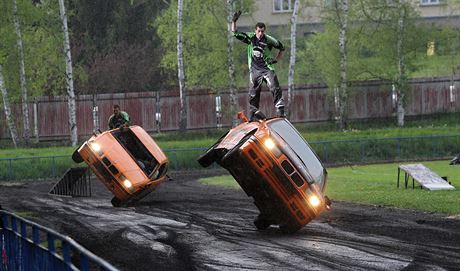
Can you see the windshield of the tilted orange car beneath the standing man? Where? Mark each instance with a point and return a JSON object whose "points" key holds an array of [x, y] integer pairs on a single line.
{"points": [[297, 146]]}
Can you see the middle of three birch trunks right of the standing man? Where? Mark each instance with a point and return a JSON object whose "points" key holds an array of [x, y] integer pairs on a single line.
{"points": [[343, 20]]}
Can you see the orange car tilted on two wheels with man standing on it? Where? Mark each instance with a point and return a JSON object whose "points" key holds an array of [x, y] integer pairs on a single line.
{"points": [[273, 164]]}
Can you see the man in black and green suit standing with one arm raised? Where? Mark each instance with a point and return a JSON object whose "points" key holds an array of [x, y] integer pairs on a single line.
{"points": [[261, 65]]}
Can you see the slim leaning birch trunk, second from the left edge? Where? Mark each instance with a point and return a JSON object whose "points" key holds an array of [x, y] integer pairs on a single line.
{"points": [[22, 75]]}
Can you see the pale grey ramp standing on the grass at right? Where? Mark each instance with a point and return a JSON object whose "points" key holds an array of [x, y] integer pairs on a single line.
{"points": [[424, 176]]}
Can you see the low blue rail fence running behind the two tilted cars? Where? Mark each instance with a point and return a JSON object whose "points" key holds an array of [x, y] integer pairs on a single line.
{"points": [[330, 152]]}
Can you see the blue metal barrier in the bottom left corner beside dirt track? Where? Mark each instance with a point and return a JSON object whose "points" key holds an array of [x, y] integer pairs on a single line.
{"points": [[26, 245]]}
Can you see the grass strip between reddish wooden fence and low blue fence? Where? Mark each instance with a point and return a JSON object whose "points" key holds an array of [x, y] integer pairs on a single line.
{"points": [[422, 126]]}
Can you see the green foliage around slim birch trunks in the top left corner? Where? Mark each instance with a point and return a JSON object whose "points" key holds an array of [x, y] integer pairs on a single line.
{"points": [[42, 42]]}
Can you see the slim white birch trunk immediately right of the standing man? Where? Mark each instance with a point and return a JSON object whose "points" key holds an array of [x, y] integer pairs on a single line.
{"points": [[292, 56]]}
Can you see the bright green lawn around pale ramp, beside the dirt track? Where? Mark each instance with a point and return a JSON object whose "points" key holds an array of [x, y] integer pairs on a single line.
{"points": [[376, 185]]}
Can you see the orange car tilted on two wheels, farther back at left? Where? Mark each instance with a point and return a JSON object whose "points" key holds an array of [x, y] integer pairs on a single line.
{"points": [[127, 161]]}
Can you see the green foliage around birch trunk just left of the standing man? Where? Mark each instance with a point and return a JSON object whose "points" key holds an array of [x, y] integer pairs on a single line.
{"points": [[204, 39]]}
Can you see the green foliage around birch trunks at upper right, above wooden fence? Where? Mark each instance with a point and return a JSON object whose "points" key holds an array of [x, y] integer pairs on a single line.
{"points": [[371, 43]]}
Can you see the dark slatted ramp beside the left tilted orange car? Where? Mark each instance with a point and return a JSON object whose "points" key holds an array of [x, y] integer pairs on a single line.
{"points": [[76, 182]]}
